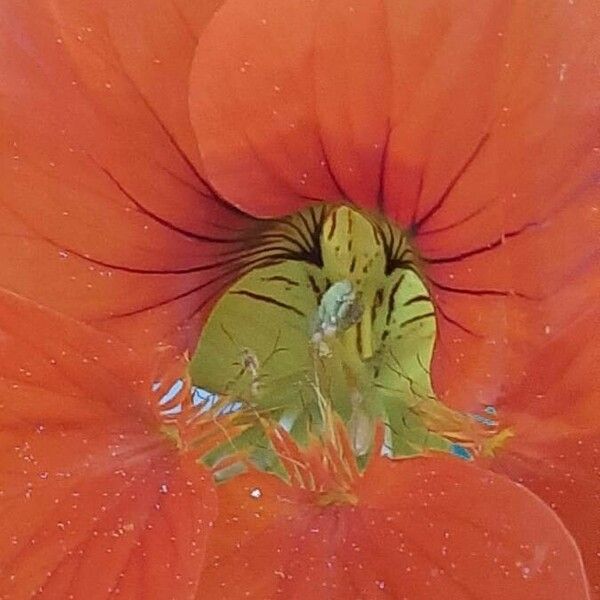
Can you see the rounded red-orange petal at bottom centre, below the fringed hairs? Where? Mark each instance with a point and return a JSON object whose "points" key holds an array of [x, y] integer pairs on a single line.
{"points": [[419, 526]]}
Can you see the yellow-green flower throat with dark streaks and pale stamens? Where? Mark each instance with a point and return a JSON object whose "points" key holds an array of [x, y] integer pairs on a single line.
{"points": [[339, 321]]}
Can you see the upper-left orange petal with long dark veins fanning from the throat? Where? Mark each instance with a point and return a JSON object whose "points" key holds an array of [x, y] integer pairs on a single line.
{"points": [[105, 214]]}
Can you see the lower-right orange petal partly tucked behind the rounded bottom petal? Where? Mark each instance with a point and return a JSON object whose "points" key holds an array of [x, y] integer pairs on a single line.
{"points": [[555, 450]]}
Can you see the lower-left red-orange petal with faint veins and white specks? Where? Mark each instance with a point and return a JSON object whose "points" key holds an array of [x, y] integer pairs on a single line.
{"points": [[93, 500]]}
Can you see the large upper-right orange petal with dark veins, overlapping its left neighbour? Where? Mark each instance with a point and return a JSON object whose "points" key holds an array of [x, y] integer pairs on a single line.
{"points": [[474, 128]]}
